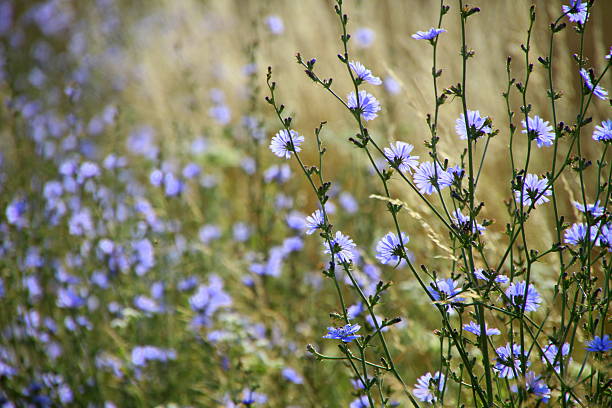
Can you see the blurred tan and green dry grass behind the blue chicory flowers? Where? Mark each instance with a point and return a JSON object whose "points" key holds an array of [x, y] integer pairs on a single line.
{"points": [[157, 62]]}
